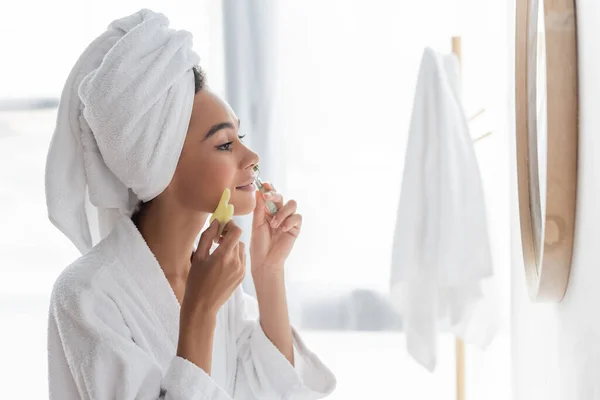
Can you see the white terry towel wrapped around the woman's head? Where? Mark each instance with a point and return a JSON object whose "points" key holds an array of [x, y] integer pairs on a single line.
{"points": [[122, 120]]}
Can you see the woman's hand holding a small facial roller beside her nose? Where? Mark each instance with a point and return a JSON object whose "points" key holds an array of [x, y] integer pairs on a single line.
{"points": [[273, 236]]}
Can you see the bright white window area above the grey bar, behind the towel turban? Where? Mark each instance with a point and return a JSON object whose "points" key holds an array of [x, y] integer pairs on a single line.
{"points": [[40, 42]]}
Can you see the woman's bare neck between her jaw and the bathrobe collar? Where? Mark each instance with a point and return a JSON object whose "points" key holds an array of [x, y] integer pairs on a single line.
{"points": [[170, 233]]}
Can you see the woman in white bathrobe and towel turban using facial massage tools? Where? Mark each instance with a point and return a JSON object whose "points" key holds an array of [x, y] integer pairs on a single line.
{"points": [[141, 154]]}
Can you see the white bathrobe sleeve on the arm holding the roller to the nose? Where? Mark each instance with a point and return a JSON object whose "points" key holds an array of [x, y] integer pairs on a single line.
{"points": [[265, 371]]}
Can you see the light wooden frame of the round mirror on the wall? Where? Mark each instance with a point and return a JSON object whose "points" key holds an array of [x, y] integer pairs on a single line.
{"points": [[547, 247]]}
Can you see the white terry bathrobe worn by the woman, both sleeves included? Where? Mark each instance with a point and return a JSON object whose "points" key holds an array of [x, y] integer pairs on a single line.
{"points": [[113, 332]]}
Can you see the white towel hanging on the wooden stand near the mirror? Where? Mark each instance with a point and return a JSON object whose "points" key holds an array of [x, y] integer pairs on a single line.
{"points": [[441, 252]]}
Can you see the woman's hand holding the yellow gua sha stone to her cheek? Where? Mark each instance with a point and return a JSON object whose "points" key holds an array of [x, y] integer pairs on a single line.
{"points": [[214, 277]]}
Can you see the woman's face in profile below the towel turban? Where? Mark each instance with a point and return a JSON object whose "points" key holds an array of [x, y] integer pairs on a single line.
{"points": [[214, 158]]}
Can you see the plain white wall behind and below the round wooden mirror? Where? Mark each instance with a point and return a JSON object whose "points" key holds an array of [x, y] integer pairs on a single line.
{"points": [[556, 347]]}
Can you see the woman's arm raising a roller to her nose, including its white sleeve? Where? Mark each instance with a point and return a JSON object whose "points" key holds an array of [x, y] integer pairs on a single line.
{"points": [[275, 363]]}
